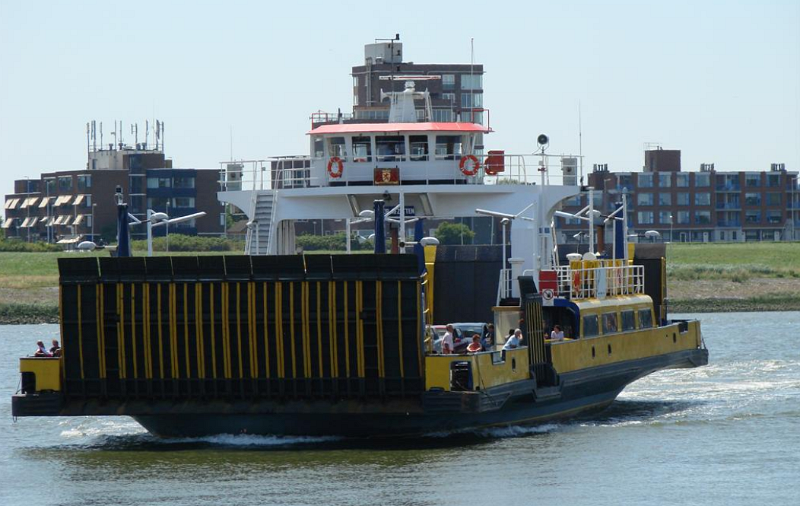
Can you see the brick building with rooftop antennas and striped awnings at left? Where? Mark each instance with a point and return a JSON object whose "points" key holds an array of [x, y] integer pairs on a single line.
{"points": [[70, 206]]}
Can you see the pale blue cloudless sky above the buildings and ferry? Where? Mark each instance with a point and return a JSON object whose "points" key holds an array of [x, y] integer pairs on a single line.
{"points": [[719, 80]]}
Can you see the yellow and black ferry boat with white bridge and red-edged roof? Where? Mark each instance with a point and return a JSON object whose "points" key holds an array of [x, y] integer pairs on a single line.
{"points": [[279, 343]]}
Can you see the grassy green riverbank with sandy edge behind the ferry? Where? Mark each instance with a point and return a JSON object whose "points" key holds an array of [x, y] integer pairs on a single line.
{"points": [[703, 278]]}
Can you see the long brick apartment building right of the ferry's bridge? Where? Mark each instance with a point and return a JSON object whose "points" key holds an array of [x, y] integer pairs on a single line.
{"points": [[703, 206]]}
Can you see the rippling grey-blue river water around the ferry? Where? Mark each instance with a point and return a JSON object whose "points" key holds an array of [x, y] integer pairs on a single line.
{"points": [[724, 434]]}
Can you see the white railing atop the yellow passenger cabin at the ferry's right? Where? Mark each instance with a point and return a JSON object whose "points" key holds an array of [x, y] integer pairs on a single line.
{"points": [[598, 281]]}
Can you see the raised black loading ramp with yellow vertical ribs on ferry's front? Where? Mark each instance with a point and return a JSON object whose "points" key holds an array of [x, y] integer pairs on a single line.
{"points": [[240, 327]]}
